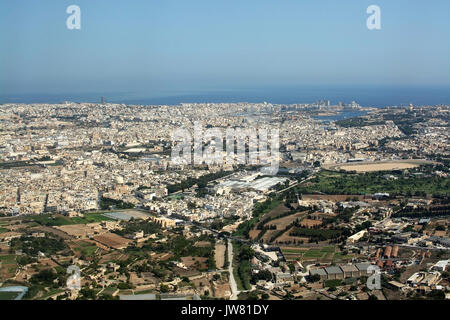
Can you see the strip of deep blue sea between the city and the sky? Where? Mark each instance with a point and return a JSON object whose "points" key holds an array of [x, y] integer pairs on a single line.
{"points": [[368, 96]]}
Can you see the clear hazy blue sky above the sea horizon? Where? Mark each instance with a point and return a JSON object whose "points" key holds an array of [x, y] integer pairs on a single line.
{"points": [[169, 47]]}
